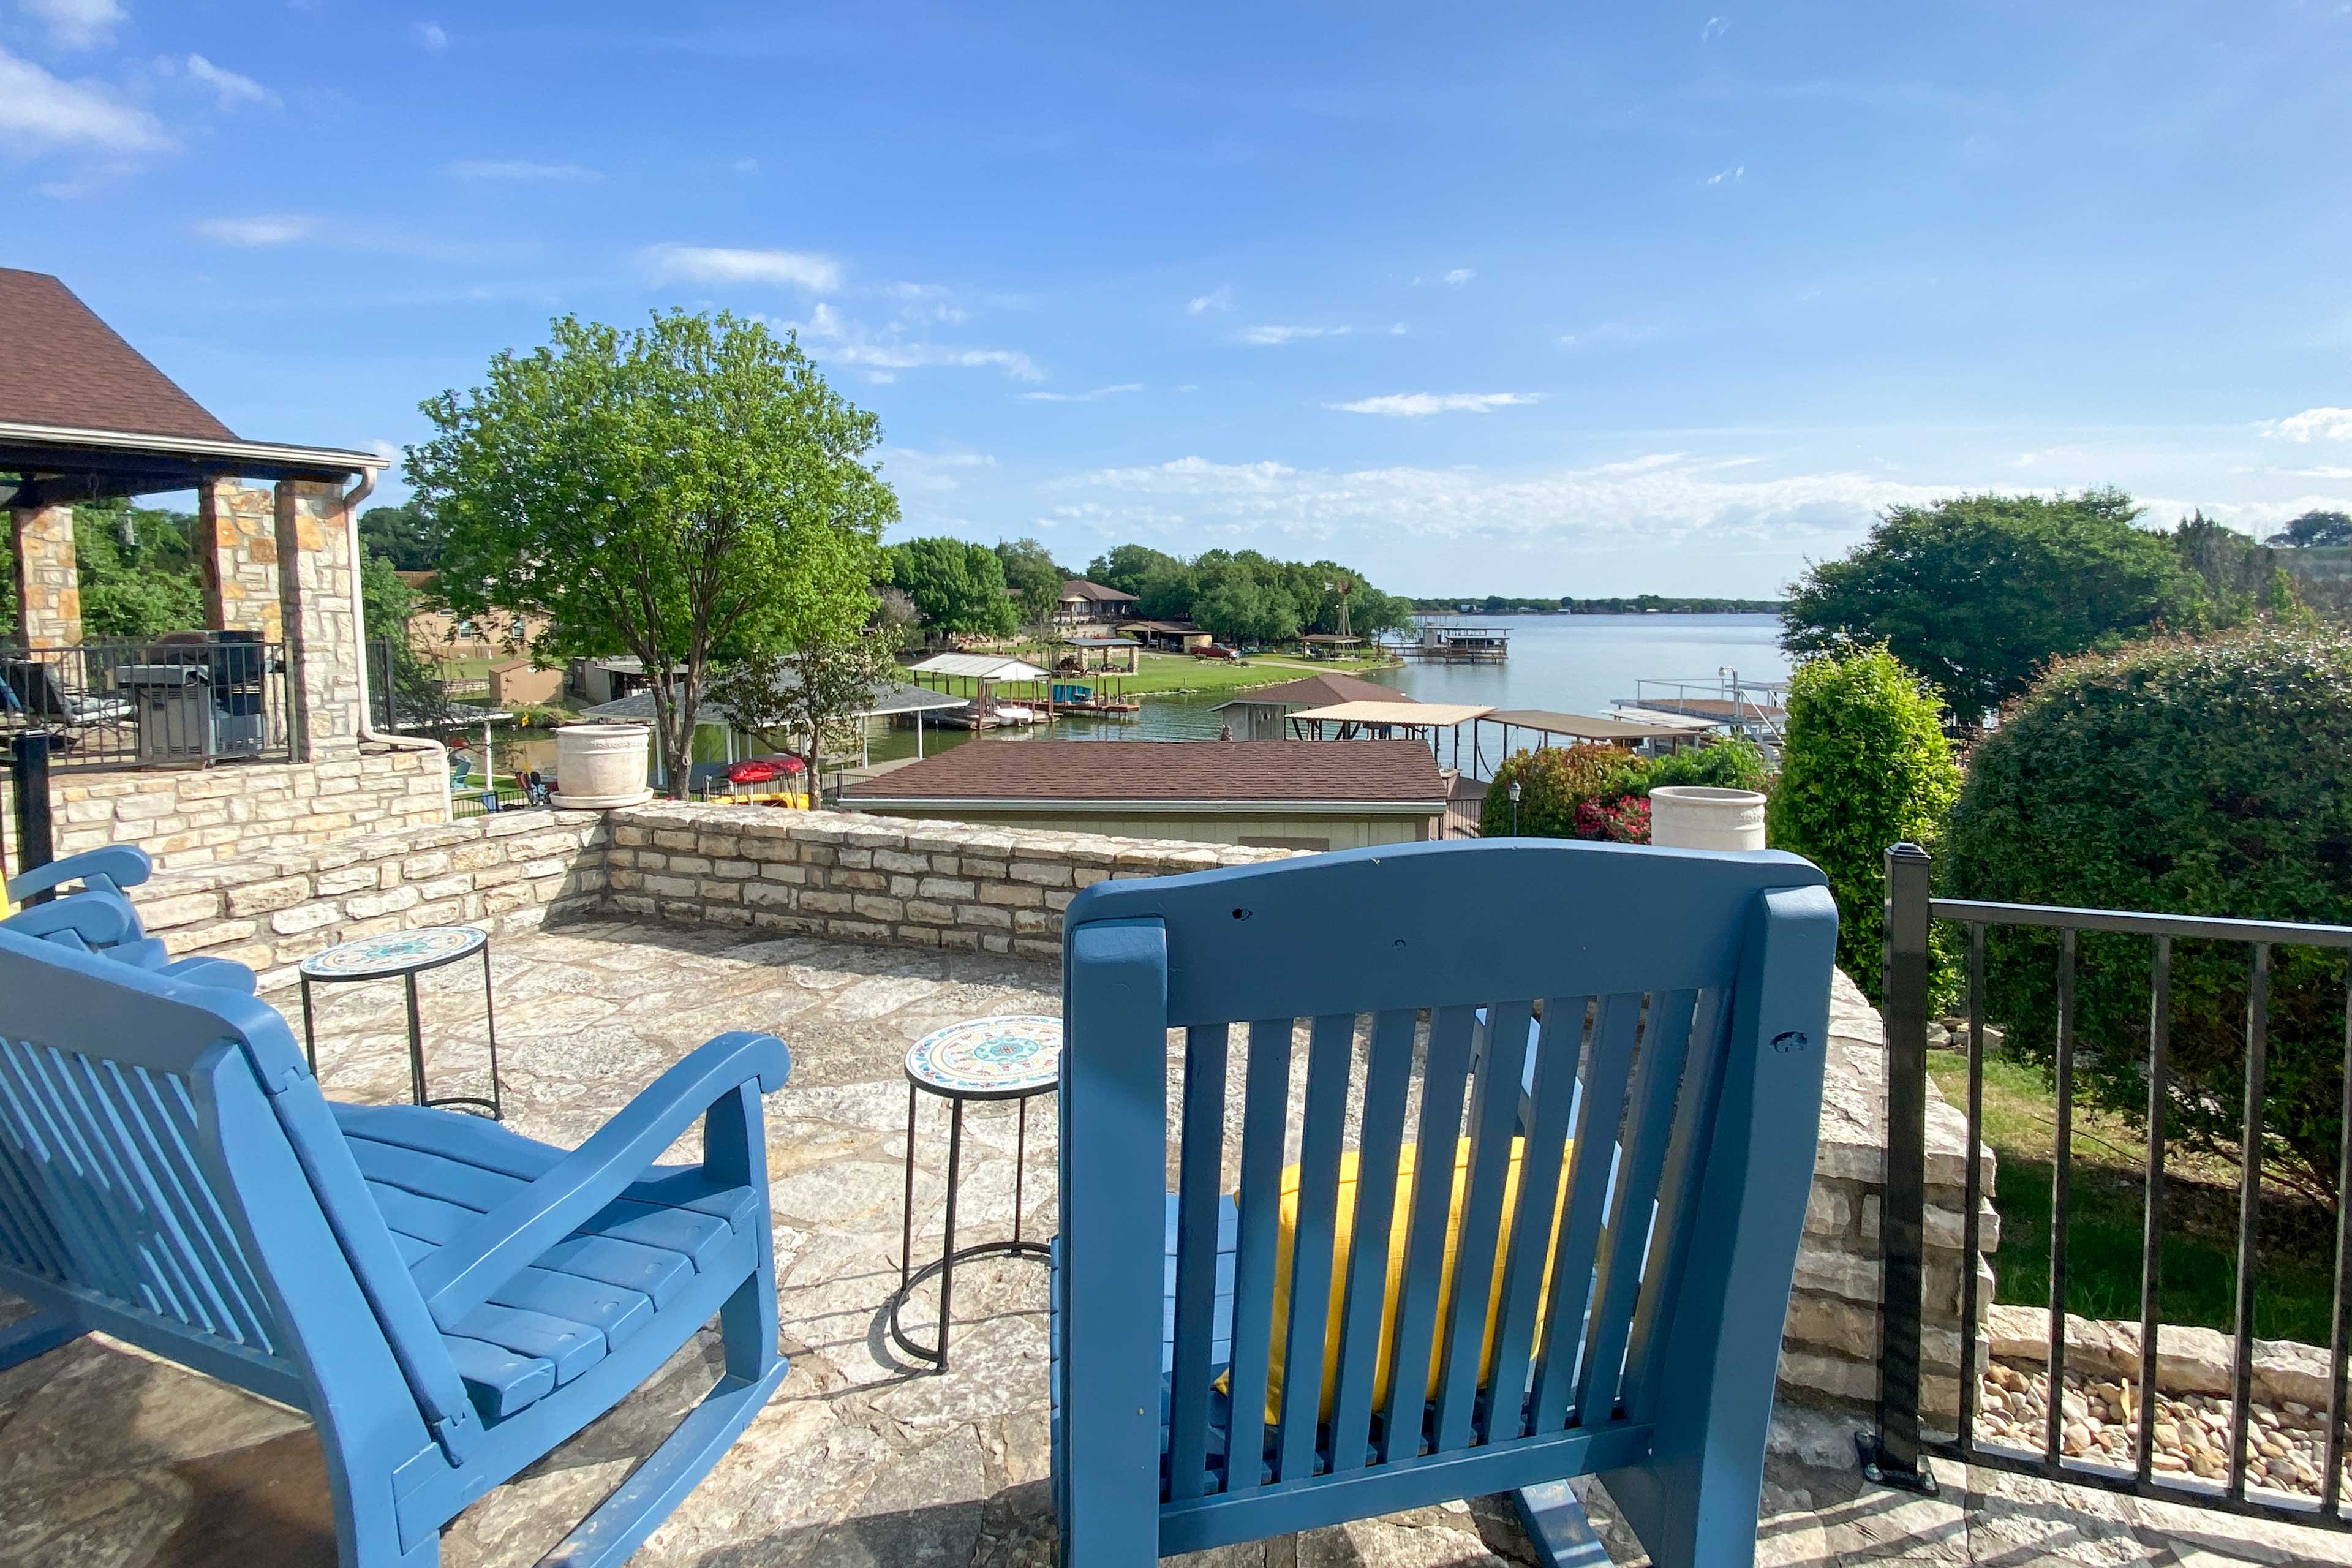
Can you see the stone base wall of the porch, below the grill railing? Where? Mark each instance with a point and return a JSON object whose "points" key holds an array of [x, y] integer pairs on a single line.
{"points": [[236, 810]]}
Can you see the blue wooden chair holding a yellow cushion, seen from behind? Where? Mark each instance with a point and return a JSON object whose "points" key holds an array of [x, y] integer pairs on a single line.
{"points": [[1339, 1341]]}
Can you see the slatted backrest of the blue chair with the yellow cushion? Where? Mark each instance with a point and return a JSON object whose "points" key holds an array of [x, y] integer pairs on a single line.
{"points": [[1561, 1007]]}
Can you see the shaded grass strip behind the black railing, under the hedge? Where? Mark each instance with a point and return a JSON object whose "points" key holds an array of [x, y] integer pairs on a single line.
{"points": [[2198, 1282]]}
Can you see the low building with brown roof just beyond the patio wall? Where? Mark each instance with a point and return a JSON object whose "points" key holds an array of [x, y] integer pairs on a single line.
{"points": [[1257, 793]]}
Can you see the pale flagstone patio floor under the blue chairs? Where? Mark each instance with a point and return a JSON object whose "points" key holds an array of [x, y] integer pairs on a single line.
{"points": [[116, 1461]]}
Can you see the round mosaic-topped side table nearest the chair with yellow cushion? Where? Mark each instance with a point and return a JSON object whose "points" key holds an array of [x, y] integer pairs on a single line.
{"points": [[984, 1059]]}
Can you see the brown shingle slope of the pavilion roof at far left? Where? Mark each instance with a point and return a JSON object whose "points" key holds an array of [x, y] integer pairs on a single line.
{"points": [[60, 366]]}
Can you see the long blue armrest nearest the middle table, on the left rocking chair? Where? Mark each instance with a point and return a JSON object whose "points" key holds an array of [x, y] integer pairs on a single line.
{"points": [[495, 1247]]}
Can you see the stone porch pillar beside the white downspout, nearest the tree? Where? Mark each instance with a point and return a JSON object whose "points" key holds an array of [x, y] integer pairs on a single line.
{"points": [[314, 601]]}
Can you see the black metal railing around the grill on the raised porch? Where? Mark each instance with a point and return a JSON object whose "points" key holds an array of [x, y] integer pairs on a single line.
{"points": [[166, 702]]}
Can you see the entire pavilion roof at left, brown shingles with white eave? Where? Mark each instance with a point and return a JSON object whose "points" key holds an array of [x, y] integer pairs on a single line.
{"points": [[86, 415]]}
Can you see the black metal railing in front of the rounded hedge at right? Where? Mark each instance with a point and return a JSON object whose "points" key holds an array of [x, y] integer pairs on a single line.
{"points": [[1895, 1452]]}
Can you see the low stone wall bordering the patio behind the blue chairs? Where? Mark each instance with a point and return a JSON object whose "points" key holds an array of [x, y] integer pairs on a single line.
{"points": [[998, 890]]}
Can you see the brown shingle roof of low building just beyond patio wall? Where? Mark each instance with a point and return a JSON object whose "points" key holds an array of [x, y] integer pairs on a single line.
{"points": [[1375, 772]]}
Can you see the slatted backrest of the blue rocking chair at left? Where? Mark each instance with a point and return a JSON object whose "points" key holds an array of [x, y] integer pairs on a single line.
{"points": [[171, 1174]]}
